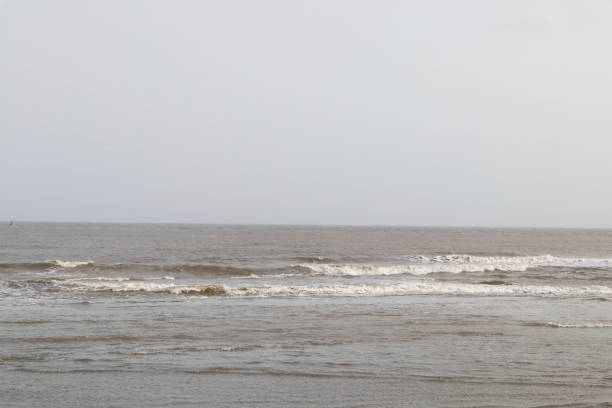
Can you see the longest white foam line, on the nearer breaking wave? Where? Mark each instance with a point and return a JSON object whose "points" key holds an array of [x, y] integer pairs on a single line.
{"points": [[403, 288]]}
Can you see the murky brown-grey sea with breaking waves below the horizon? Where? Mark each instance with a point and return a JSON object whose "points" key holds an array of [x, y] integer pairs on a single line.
{"points": [[118, 315]]}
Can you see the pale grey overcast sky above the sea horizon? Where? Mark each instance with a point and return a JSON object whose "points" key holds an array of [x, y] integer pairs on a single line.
{"points": [[492, 113]]}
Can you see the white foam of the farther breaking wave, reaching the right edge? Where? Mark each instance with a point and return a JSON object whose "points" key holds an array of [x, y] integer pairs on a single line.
{"points": [[422, 265]]}
